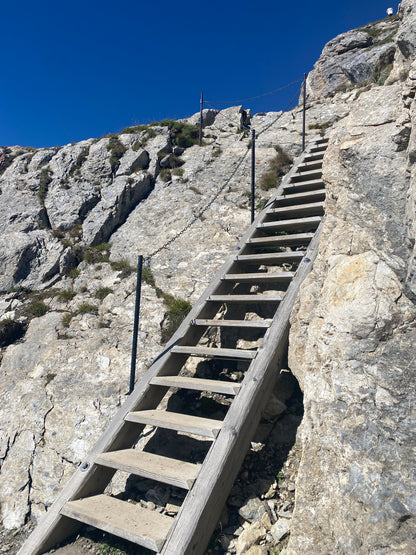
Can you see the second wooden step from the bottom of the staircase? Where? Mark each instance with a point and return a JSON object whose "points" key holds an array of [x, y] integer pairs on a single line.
{"points": [[155, 467]]}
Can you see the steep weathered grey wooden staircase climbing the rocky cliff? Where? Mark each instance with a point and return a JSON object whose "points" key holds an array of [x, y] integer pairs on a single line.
{"points": [[250, 298]]}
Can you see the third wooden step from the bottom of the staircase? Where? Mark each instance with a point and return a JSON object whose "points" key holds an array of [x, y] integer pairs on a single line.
{"points": [[205, 427]]}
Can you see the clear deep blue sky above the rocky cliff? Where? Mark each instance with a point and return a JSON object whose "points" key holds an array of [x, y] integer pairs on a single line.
{"points": [[83, 68]]}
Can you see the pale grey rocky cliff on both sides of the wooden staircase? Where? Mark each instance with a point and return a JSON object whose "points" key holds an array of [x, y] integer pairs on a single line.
{"points": [[74, 220]]}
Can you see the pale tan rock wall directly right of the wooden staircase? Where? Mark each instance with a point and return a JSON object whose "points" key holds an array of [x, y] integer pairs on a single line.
{"points": [[353, 333]]}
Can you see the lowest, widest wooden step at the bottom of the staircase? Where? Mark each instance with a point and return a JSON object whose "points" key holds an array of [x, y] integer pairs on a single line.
{"points": [[128, 521]]}
